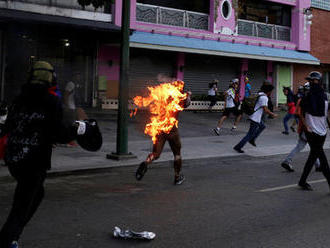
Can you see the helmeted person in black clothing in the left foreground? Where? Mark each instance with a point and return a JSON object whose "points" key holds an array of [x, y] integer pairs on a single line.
{"points": [[34, 125]]}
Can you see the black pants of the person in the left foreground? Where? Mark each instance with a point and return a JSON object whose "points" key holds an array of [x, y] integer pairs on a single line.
{"points": [[28, 195]]}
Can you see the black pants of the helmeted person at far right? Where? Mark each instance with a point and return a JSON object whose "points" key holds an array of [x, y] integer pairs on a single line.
{"points": [[316, 143]]}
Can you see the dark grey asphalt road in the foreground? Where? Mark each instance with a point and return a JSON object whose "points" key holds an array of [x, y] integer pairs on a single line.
{"points": [[219, 205]]}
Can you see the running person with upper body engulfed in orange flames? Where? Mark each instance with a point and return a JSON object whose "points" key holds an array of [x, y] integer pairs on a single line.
{"points": [[164, 102]]}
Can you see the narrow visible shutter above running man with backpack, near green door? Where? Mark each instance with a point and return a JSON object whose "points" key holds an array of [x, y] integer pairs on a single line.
{"points": [[257, 73]]}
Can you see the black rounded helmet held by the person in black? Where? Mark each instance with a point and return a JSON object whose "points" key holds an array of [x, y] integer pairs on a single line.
{"points": [[92, 139]]}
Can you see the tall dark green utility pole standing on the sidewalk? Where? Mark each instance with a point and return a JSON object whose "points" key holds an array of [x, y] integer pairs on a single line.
{"points": [[122, 119]]}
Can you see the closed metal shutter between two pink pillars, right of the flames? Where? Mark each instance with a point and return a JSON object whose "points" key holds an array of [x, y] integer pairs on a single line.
{"points": [[200, 70]]}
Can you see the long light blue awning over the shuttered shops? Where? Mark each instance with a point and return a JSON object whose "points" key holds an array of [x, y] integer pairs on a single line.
{"points": [[192, 45]]}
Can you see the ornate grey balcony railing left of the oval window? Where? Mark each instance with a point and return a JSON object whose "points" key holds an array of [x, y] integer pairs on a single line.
{"points": [[168, 16]]}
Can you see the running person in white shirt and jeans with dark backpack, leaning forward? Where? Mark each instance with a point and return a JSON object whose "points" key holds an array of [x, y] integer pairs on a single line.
{"points": [[256, 123]]}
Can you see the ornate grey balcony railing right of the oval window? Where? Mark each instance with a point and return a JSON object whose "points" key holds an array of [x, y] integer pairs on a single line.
{"points": [[264, 30]]}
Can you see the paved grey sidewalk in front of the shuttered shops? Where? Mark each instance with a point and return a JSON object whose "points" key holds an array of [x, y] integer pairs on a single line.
{"points": [[197, 137]]}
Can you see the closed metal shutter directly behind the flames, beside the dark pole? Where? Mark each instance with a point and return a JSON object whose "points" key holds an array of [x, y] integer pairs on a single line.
{"points": [[145, 65]]}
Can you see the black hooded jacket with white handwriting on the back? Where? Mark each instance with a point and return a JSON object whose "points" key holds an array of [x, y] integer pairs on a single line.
{"points": [[33, 125]]}
